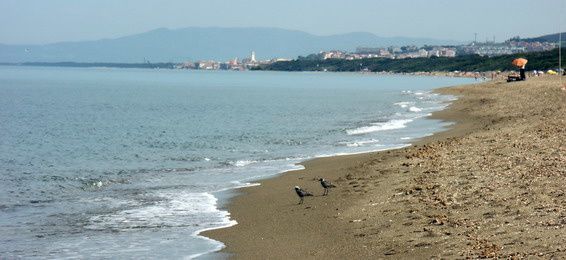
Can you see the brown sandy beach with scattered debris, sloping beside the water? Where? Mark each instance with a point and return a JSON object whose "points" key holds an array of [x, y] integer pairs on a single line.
{"points": [[490, 186]]}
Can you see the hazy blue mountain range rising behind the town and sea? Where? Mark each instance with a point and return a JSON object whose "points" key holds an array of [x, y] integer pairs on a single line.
{"points": [[199, 43]]}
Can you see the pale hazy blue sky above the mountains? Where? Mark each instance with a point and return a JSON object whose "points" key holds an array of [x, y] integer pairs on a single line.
{"points": [[46, 21]]}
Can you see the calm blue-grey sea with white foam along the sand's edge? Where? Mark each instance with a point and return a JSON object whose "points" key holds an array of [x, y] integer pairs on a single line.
{"points": [[121, 163]]}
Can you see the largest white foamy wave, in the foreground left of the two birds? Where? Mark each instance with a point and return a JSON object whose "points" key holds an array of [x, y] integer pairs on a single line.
{"points": [[198, 212]]}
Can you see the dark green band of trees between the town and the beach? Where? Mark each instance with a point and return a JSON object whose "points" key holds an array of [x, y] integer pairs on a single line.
{"points": [[537, 61]]}
